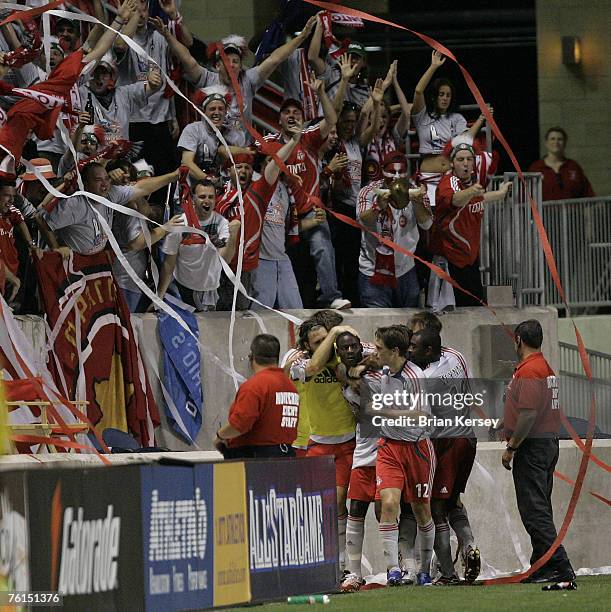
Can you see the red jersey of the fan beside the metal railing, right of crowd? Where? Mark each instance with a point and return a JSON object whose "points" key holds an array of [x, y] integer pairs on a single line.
{"points": [[456, 231]]}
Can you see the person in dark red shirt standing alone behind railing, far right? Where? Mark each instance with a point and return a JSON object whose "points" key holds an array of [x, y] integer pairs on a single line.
{"points": [[563, 178]]}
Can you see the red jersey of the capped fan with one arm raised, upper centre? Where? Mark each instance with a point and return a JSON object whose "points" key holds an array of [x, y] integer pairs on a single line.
{"points": [[304, 163]]}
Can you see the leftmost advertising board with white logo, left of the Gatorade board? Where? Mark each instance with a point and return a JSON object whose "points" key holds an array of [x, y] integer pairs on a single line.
{"points": [[14, 537]]}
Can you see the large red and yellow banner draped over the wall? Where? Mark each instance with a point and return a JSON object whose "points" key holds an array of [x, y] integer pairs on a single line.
{"points": [[94, 354]]}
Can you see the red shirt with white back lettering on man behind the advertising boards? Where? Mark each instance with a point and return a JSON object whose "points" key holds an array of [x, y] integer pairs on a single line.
{"points": [[266, 409]]}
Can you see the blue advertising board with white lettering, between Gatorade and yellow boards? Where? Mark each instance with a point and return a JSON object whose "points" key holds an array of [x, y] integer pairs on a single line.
{"points": [[177, 523]]}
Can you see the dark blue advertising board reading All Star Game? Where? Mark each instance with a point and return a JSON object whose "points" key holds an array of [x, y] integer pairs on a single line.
{"points": [[292, 516]]}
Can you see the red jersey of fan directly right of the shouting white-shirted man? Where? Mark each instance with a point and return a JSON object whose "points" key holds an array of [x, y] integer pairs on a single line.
{"points": [[256, 200]]}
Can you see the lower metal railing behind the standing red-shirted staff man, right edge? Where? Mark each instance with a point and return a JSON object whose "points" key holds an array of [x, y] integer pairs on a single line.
{"points": [[576, 390]]}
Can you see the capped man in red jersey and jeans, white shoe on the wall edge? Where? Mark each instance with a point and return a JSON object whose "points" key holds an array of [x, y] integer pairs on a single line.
{"points": [[304, 164]]}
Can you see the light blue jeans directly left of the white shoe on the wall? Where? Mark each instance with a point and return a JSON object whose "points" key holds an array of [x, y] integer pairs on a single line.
{"points": [[274, 284]]}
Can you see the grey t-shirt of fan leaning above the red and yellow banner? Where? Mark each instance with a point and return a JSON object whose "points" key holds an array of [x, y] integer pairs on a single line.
{"points": [[77, 224]]}
